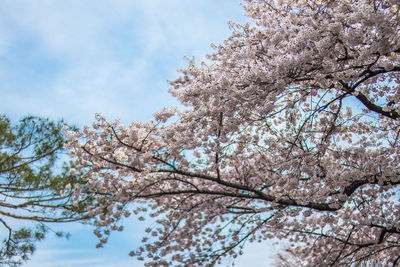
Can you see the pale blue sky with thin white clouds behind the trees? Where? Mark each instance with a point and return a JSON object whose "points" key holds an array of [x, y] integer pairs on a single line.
{"points": [[71, 59]]}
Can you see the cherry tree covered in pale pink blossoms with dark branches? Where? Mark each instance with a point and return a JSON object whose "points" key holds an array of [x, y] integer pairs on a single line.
{"points": [[291, 131]]}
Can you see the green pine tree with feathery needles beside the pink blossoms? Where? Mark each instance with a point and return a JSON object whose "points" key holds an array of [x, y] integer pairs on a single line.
{"points": [[31, 180]]}
